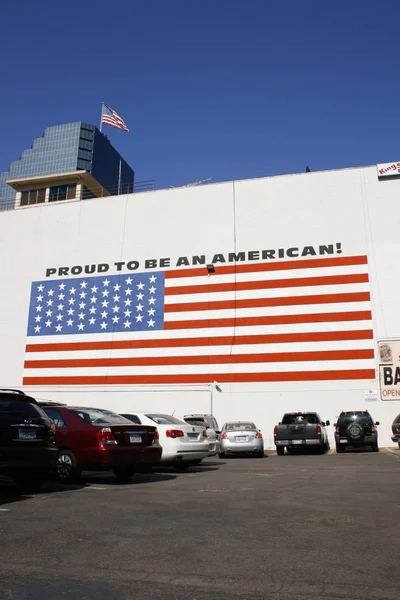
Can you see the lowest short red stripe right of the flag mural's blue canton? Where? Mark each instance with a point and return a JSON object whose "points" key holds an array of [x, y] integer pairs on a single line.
{"points": [[359, 315]]}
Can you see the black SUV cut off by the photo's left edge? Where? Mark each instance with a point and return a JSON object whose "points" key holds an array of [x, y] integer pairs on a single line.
{"points": [[27, 446]]}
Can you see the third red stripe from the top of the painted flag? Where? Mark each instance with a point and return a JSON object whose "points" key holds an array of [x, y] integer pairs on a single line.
{"points": [[261, 302]]}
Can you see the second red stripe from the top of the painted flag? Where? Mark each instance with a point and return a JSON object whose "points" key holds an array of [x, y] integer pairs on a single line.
{"points": [[236, 286]]}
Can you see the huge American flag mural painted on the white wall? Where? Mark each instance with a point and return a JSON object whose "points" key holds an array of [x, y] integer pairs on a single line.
{"points": [[302, 320]]}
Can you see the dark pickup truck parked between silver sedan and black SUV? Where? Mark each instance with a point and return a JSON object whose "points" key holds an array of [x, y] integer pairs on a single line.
{"points": [[301, 429]]}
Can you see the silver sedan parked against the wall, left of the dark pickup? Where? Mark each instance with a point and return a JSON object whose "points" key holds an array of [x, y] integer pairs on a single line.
{"points": [[241, 437]]}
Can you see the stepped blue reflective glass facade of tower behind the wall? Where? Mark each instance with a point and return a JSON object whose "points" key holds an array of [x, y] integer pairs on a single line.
{"points": [[67, 148]]}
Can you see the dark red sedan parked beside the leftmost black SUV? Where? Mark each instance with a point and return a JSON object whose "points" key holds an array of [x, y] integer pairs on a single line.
{"points": [[94, 439]]}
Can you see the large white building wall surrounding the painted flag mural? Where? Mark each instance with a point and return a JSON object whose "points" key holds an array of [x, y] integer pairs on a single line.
{"points": [[349, 206]]}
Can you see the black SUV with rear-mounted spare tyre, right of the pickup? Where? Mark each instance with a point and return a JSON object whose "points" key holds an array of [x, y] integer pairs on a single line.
{"points": [[356, 428]]}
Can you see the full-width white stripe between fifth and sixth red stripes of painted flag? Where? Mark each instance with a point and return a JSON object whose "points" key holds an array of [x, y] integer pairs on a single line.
{"points": [[206, 350]]}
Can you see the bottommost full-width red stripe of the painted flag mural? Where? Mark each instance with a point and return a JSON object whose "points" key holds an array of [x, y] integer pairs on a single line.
{"points": [[194, 378]]}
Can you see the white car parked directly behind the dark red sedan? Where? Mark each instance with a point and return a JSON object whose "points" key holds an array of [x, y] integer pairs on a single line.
{"points": [[183, 444]]}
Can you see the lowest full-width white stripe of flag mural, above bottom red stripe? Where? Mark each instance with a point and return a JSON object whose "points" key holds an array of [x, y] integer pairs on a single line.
{"points": [[334, 365]]}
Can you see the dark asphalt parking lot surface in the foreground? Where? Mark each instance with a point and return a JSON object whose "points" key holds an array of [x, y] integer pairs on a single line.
{"points": [[297, 526]]}
